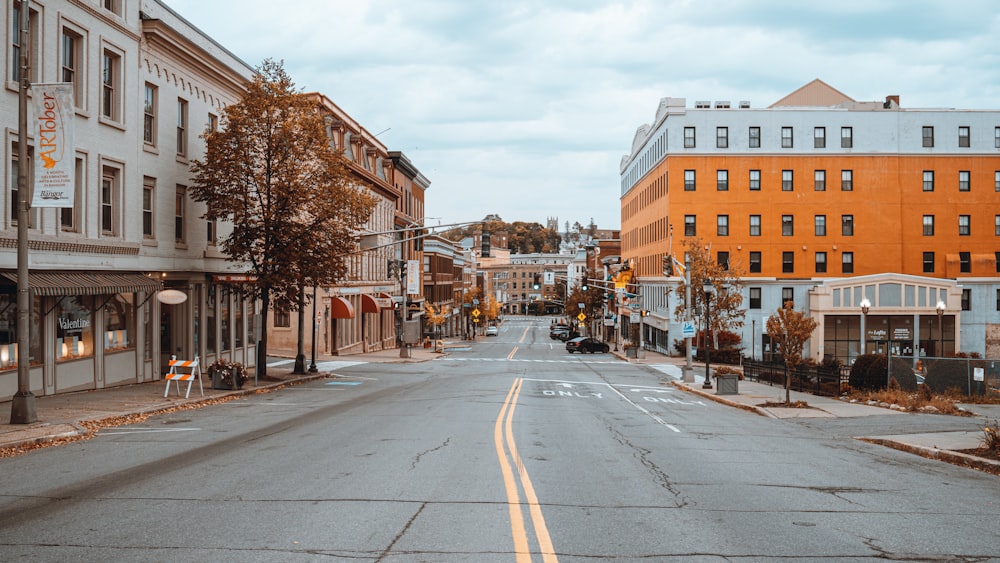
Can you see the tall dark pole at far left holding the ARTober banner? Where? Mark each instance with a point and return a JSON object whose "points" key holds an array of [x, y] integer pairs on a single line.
{"points": [[22, 409]]}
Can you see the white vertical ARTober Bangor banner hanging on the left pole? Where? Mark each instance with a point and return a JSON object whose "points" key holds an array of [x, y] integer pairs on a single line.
{"points": [[55, 162]]}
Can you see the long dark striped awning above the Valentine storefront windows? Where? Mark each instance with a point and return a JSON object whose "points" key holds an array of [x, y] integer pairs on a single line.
{"points": [[46, 284]]}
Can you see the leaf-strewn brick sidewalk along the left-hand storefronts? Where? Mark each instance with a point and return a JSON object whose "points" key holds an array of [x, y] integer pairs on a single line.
{"points": [[66, 416]]}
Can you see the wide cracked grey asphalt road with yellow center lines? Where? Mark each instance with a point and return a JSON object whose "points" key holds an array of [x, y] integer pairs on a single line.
{"points": [[508, 449]]}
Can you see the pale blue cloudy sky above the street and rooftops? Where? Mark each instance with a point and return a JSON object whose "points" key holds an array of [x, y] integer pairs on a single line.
{"points": [[525, 108]]}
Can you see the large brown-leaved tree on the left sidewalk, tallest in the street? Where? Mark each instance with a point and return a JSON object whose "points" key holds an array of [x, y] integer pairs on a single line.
{"points": [[270, 171]]}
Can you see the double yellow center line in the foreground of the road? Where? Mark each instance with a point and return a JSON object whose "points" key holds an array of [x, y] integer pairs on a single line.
{"points": [[513, 499]]}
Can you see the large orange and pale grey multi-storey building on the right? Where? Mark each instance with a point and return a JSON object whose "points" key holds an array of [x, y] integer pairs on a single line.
{"points": [[826, 201]]}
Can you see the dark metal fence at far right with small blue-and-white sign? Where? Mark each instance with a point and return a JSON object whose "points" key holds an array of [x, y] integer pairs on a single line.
{"points": [[969, 376]]}
